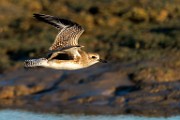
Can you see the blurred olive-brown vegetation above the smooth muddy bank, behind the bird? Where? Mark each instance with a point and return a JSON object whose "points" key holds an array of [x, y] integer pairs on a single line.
{"points": [[119, 30]]}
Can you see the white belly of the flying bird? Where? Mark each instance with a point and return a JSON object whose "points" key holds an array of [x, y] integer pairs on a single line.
{"points": [[65, 66]]}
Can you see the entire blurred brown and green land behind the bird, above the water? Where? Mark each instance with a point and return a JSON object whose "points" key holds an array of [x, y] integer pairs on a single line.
{"points": [[139, 38]]}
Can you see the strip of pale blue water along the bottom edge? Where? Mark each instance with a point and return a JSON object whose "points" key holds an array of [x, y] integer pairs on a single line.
{"points": [[22, 115]]}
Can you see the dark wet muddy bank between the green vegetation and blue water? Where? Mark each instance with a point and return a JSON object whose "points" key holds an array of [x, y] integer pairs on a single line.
{"points": [[112, 88]]}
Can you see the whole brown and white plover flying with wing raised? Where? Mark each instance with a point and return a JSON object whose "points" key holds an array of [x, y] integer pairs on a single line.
{"points": [[65, 53]]}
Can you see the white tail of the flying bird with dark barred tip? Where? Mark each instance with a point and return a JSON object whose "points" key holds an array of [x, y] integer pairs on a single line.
{"points": [[35, 62]]}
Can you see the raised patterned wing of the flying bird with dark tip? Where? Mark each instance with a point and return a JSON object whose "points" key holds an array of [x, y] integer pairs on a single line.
{"points": [[69, 32]]}
